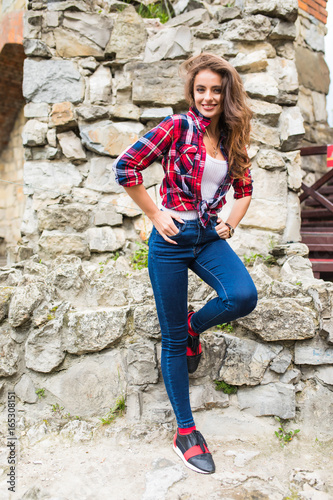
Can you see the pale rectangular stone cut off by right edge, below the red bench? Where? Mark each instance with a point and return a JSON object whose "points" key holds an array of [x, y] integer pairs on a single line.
{"points": [[313, 352]]}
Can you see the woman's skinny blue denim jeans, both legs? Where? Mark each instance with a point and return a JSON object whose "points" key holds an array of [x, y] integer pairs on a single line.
{"points": [[212, 259]]}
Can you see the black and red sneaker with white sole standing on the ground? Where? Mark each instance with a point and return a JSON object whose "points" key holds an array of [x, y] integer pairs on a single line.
{"points": [[192, 449]]}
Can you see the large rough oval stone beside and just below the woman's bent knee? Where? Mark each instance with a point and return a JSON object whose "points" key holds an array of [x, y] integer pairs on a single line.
{"points": [[281, 319]]}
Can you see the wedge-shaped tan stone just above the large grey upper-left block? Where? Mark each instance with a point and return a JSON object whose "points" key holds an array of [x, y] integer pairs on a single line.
{"points": [[71, 44]]}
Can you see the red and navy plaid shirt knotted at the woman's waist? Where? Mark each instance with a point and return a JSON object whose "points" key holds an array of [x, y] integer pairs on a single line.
{"points": [[179, 140]]}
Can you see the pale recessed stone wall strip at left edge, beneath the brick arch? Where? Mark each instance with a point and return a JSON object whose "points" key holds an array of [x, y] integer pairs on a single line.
{"points": [[12, 199]]}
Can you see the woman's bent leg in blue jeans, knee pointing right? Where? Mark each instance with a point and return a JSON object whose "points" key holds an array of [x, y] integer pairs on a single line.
{"points": [[219, 266]]}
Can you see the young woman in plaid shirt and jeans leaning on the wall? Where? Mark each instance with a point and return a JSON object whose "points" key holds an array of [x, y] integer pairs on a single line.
{"points": [[203, 154]]}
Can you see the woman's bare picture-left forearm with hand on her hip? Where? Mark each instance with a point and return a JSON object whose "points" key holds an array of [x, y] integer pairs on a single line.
{"points": [[162, 220]]}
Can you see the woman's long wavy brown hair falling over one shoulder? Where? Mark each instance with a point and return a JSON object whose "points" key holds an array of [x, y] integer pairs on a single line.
{"points": [[236, 115]]}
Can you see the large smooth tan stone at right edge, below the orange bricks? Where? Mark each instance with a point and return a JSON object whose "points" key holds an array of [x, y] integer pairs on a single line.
{"points": [[306, 60]]}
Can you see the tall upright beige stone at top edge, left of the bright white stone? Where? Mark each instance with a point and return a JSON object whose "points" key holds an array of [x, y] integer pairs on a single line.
{"points": [[128, 38]]}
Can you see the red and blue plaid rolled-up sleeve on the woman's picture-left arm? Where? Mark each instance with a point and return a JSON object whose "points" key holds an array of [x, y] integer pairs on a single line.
{"points": [[142, 153]]}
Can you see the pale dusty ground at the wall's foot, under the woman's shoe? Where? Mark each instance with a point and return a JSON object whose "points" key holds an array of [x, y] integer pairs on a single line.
{"points": [[122, 461]]}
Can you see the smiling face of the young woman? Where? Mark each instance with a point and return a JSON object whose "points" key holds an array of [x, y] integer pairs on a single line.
{"points": [[207, 92]]}
